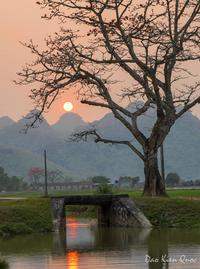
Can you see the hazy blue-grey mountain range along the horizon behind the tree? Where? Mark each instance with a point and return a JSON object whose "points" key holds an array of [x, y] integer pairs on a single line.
{"points": [[20, 151]]}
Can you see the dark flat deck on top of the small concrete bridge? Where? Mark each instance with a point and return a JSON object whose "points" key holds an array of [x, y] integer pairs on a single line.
{"points": [[88, 199]]}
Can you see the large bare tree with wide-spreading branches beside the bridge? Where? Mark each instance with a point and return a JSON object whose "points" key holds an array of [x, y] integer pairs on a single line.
{"points": [[113, 49]]}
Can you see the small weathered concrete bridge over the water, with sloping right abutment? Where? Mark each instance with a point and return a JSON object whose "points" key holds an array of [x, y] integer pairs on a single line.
{"points": [[117, 210]]}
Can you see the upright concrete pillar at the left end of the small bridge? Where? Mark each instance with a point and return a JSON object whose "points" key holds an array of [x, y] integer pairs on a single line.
{"points": [[58, 214]]}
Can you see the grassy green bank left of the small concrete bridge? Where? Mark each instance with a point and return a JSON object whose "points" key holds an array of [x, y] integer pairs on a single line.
{"points": [[25, 216]]}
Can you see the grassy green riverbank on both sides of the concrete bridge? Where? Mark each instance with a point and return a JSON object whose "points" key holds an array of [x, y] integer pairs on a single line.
{"points": [[32, 215]]}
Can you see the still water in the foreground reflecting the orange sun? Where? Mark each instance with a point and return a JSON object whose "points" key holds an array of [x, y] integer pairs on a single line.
{"points": [[87, 246]]}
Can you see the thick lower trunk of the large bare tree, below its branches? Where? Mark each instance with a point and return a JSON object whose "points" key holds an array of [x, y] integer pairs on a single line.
{"points": [[154, 183]]}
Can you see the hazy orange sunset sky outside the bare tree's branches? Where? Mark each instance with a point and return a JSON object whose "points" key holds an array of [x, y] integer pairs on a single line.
{"points": [[20, 20]]}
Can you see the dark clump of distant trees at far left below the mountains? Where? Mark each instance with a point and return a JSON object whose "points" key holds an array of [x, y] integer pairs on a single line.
{"points": [[11, 183]]}
